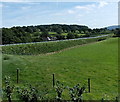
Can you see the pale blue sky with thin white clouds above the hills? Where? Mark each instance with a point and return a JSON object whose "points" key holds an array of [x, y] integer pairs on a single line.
{"points": [[95, 14]]}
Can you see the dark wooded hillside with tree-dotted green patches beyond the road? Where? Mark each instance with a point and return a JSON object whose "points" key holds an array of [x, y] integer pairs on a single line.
{"points": [[39, 33]]}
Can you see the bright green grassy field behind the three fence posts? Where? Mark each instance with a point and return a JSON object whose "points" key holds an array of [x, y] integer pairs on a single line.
{"points": [[97, 61]]}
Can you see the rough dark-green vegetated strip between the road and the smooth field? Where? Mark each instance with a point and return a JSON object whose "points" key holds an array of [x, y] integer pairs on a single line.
{"points": [[45, 47]]}
